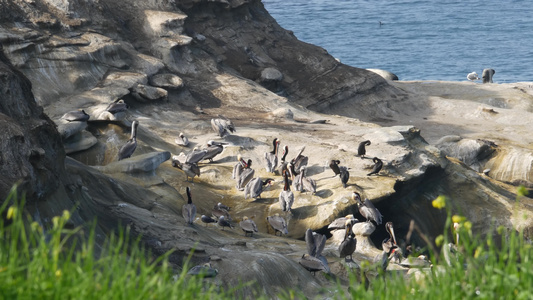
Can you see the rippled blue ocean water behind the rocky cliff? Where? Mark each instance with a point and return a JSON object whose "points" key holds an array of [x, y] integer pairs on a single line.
{"points": [[418, 40]]}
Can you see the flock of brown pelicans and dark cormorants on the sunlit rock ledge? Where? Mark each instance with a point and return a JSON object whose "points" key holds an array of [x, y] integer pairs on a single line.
{"points": [[293, 174]]}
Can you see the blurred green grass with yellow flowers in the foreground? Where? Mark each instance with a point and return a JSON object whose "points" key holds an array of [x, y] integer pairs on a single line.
{"points": [[62, 263]]}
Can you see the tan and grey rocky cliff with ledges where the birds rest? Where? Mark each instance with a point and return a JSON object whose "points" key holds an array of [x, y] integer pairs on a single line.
{"points": [[177, 65]]}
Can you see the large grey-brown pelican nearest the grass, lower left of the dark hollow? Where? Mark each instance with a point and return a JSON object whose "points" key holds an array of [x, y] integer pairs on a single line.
{"points": [[313, 260]]}
